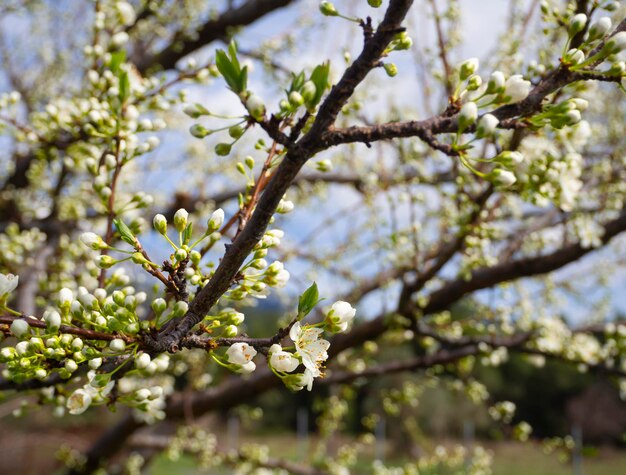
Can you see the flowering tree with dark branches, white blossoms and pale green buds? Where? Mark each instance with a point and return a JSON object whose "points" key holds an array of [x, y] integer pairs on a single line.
{"points": [[144, 180]]}
